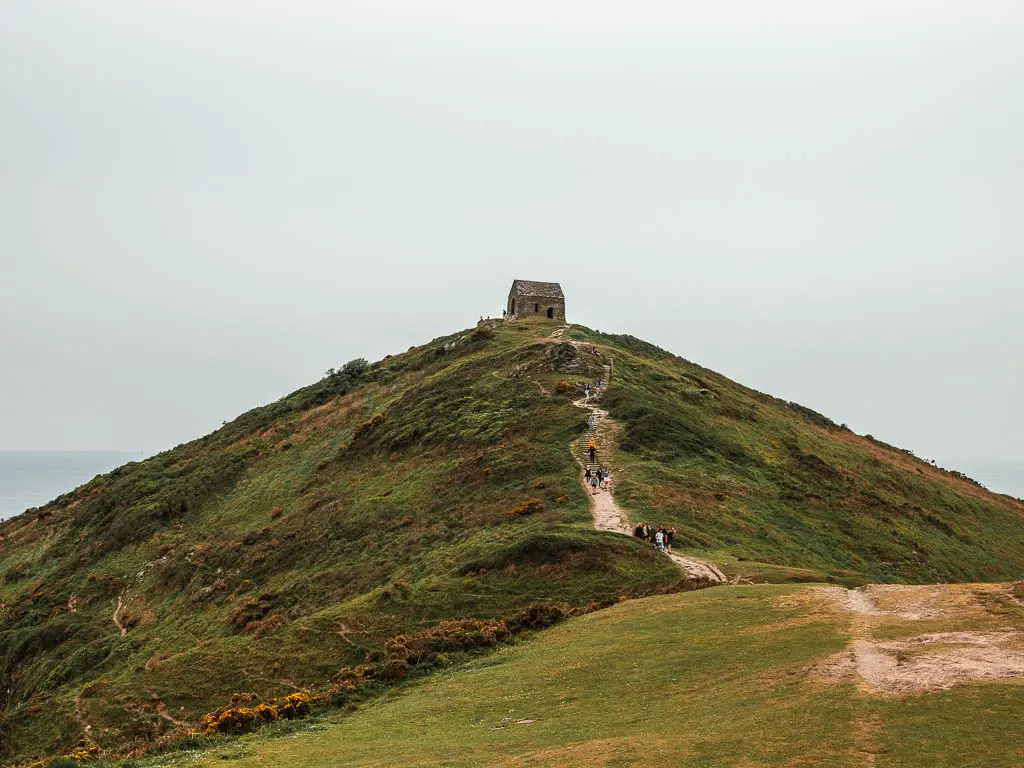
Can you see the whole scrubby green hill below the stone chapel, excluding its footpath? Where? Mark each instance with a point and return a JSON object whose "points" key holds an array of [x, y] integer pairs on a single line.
{"points": [[438, 485]]}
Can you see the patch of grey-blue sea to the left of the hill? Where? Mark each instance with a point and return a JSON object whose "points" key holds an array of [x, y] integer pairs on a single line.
{"points": [[31, 479]]}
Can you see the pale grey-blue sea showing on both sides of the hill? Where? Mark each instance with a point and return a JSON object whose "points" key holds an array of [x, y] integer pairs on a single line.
{"points": [[32, 479]]}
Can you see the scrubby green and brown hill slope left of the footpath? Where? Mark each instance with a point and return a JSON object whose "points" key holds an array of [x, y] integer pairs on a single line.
{"points": [[297, 538]]}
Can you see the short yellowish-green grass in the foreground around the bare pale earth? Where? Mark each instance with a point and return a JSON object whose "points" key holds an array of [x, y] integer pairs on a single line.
{"points": [[722, 677]]}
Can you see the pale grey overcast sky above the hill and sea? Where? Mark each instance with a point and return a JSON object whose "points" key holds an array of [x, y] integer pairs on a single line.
{"points": [[204, 204]]}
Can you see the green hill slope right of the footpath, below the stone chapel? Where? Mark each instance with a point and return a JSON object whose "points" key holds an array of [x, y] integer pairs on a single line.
{"points": [[743, 474]]}
